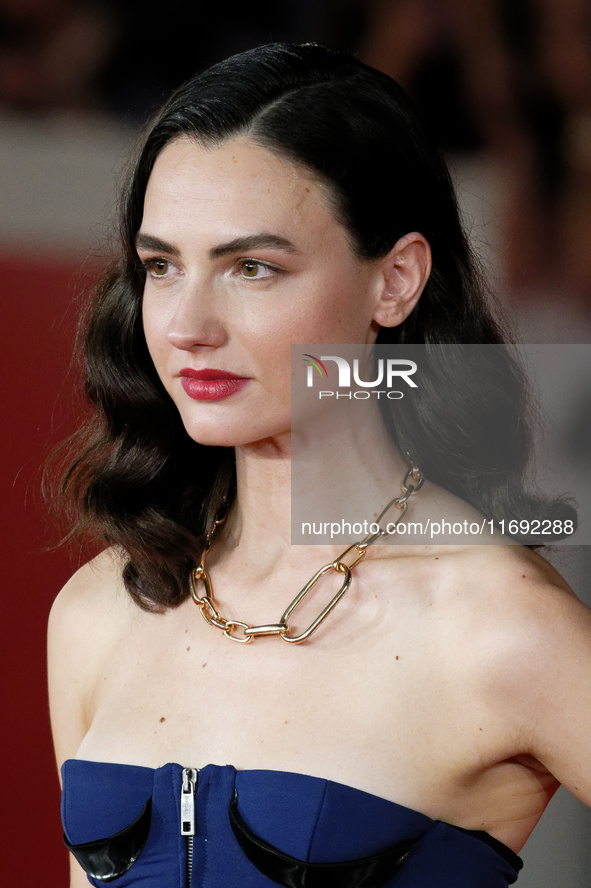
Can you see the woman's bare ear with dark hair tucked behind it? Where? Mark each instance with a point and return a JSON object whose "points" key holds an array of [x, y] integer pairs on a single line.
{"points": [[403, 275]]}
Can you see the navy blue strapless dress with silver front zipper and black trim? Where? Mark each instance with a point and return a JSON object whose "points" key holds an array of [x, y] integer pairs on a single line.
{"points": [[172, 827]]}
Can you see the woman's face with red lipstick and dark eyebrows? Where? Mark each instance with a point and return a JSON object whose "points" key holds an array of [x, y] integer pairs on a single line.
{"points": [[243, 258]]}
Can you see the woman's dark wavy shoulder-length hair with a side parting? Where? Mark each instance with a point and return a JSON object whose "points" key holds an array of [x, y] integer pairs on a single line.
{"points": [[137, 479]]}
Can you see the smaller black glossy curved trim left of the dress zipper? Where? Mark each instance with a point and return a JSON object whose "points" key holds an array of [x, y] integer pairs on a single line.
{"points": [[107, 859]]}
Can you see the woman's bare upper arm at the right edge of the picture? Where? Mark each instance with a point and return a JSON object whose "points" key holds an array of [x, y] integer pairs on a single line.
{"points": [[543, 665]]}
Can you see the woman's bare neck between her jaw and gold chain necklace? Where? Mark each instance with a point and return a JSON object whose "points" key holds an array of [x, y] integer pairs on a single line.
{"points": [[348, 469]]}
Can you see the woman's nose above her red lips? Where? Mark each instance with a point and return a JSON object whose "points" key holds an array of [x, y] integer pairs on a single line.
{"points": [[196, 322]]}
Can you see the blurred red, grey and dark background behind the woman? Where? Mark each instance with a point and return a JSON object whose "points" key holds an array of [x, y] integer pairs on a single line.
{"points": [[506, 87]]}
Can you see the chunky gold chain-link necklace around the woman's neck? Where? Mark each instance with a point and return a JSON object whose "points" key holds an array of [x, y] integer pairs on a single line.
{"points": [[235, 630]]}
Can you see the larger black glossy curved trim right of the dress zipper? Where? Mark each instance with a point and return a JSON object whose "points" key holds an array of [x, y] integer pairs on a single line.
{"points": [[365, 872]]}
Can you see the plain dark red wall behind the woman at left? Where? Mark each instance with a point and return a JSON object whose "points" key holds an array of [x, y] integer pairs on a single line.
{"points": [[38, 410]]}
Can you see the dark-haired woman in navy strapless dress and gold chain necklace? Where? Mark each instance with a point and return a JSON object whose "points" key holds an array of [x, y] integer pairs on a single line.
{"points": [[289, 195]]}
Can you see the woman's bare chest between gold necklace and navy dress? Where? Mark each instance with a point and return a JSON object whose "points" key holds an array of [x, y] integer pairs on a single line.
{"points": [[374, 708]]}
